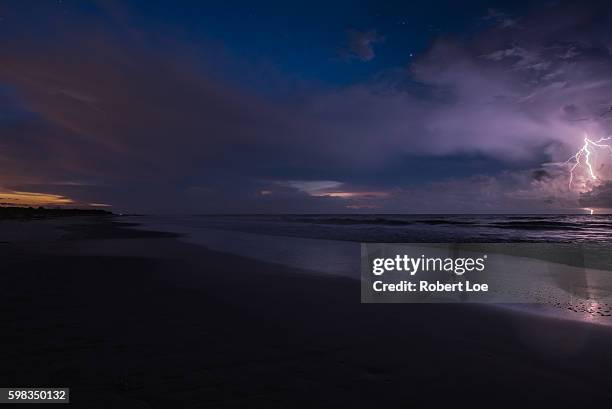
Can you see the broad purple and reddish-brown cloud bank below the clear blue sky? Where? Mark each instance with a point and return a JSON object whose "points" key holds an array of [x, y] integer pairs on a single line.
{"points": [[143, 125]]}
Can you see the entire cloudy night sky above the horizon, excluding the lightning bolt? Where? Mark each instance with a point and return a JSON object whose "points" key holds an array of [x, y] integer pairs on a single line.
{"points": [[285, 107]]}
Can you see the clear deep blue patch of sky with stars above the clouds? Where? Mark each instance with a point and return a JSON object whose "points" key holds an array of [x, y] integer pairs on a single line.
{"points": [[305, 40]]}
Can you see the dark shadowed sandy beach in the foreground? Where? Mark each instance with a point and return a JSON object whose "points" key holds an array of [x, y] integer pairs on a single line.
{"points": [[135, 319]]}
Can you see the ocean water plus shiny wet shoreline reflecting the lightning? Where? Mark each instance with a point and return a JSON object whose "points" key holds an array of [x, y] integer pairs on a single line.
{"points": [[331, 244]]}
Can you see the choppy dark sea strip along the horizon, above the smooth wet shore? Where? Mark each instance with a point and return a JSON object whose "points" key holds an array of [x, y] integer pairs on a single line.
{"points": [[418, 228]]}
